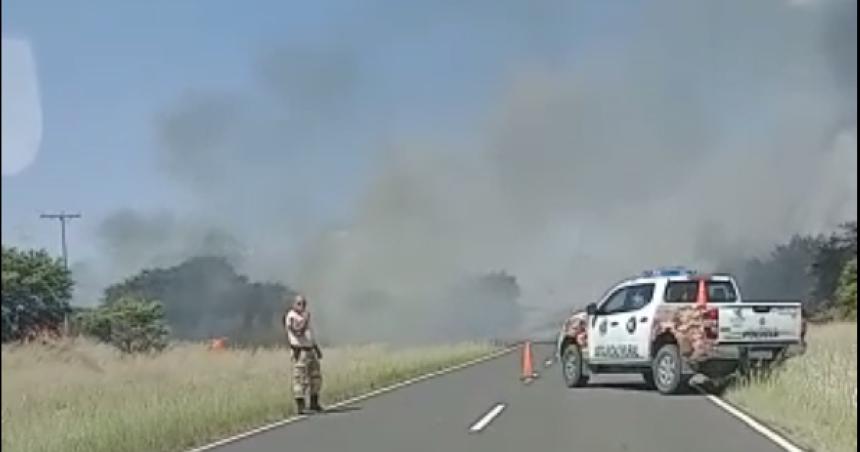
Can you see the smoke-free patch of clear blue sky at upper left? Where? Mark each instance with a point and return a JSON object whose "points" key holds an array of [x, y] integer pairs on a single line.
{"points": [[104, 72]]}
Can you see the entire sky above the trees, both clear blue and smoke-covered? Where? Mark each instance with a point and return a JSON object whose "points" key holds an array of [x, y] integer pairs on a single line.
{"points": [[566, 88]]}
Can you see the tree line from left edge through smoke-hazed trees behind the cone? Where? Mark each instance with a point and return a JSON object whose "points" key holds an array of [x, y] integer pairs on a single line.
{"points": [[205, 297]]}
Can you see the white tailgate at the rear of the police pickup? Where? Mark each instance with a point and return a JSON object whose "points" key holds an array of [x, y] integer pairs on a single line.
{"points": [[760, 323]]}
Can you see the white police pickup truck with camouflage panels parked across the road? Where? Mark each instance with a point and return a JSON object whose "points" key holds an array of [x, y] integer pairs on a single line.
{"points": [[670, 324]]}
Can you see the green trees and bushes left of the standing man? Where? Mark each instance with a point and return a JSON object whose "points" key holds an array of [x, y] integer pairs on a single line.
{"points": [[201, 298]]}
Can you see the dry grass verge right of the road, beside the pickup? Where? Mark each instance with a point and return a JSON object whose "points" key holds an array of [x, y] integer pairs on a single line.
{"points": [[812, 399]]}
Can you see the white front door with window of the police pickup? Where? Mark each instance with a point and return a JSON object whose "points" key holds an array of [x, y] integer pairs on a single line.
{"points": [[622, 328]]}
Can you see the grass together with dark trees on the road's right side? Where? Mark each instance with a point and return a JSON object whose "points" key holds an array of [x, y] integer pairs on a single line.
{"points": [[812, 399]]}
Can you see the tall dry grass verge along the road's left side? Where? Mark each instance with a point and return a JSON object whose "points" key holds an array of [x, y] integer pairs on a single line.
{"points": [[84, 397]]}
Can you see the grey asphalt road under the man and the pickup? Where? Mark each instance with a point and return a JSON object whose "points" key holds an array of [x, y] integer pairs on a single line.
{"points": [[612, 414]]}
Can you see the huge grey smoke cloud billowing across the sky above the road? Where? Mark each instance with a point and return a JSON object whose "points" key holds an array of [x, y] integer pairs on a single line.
{"points": [[686, 132]]}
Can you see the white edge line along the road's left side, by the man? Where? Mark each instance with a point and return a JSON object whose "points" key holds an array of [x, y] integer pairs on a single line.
{"points": [[365, 396]]}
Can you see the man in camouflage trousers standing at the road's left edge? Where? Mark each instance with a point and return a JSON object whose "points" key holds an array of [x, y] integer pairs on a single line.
{"points": [[307, 378]]}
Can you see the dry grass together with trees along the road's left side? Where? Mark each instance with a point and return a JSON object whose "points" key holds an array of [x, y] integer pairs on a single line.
{"points": [[135, 372]]}
